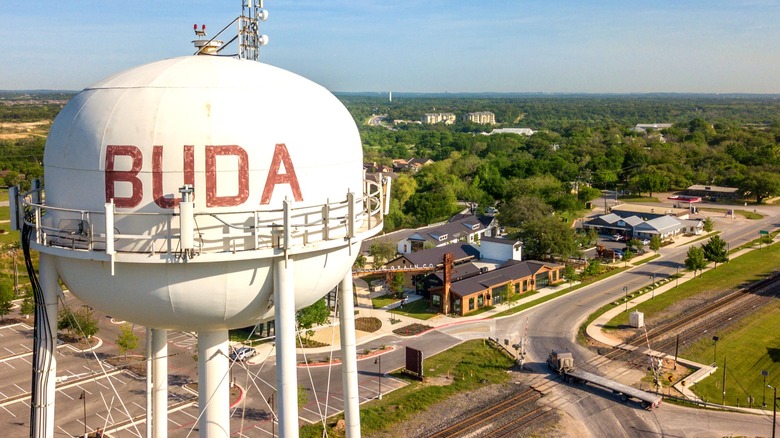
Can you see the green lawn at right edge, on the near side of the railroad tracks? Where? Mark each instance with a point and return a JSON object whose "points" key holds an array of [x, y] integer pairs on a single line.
{"points": [[750, 346]]}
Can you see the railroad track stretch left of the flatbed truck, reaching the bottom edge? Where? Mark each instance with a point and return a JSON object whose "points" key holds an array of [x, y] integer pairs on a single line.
{"points": [[492, 413]]}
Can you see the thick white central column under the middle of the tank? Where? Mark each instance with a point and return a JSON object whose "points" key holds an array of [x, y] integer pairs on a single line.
{"points": [[213, 384]]}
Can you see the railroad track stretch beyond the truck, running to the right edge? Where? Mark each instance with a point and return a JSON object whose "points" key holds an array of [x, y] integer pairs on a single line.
{"points": [[708, 319]]}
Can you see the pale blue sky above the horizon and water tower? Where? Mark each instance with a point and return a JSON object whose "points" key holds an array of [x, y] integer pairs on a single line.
{"points": [[619, 46]]}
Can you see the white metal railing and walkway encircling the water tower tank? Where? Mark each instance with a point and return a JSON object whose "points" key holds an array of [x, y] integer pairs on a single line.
{"points": [[328, 224]]}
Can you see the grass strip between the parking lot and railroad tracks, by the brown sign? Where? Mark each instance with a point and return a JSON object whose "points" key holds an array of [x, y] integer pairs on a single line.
{"points": [[466, 364]]}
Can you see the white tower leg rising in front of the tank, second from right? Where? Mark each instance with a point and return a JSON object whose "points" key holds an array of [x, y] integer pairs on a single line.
{"points": [[286, 367]]}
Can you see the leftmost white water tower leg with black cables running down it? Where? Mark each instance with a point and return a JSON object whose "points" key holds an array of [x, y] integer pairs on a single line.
{"points": [[45, 367]]}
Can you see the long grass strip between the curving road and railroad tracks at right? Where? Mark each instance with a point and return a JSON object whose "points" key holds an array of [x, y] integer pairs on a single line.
{"points": [[747, 268]]}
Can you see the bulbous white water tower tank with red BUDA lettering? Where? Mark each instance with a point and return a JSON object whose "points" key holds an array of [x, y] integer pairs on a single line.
{"points": [[275, 166]]}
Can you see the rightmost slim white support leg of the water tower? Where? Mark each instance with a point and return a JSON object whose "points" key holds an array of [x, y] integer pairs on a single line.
{"points": [[349, 357]]}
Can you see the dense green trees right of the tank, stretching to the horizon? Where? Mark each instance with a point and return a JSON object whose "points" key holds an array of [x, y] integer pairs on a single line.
{"points": [[583, 145]]}
